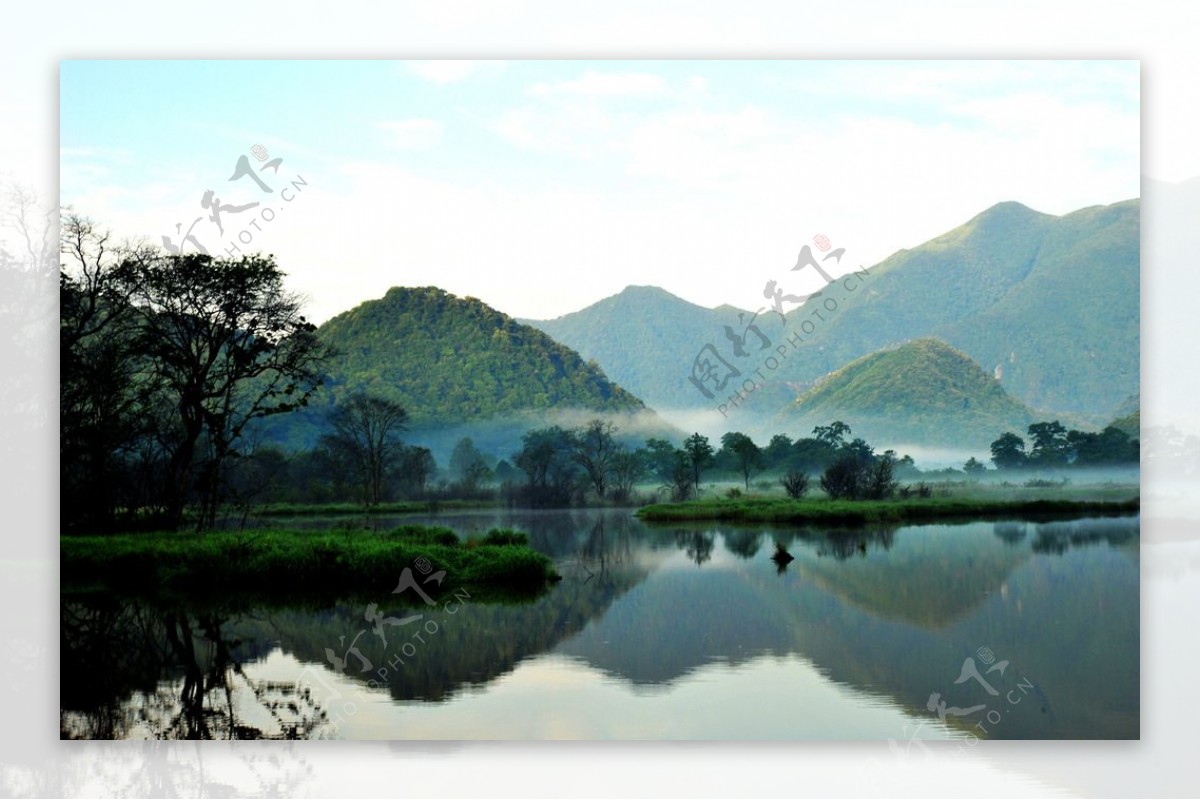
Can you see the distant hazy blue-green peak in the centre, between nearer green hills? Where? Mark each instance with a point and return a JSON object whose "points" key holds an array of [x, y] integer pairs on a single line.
{"points": [[646, 338]]}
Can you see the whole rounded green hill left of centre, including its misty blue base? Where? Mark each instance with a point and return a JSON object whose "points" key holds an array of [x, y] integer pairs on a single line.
{"points": [[460, 369]]}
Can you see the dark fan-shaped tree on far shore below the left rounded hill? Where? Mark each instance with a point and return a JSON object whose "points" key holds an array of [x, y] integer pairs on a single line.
{"points": [[368, 431]]}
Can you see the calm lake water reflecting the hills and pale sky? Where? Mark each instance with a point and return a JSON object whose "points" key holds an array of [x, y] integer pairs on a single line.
{"points": [[1022, 630]]}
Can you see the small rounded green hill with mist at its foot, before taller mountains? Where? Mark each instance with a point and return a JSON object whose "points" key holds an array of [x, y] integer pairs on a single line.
{"points": [[923, 392]]}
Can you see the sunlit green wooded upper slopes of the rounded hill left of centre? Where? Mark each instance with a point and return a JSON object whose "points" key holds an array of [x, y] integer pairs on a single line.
{"points": [[449, 360]]}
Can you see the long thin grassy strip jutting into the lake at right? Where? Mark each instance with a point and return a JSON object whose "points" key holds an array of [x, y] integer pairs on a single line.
{"points": [[872, 512]]}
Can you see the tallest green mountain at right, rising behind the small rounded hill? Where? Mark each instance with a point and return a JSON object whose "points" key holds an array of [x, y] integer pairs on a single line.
{"points": [[1053, 303]]}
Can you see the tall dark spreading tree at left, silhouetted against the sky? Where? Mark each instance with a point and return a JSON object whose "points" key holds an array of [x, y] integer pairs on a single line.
{"points": [[231, 346]]}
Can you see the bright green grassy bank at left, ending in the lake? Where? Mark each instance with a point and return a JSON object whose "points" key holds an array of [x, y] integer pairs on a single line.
{"points": [[289, 563]]}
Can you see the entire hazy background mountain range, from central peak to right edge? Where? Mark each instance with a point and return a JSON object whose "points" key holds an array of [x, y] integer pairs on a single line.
{"points": [[1052, 302]]}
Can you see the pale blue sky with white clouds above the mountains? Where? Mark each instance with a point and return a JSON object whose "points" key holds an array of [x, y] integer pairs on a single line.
{"points": [[542, 187]]}
